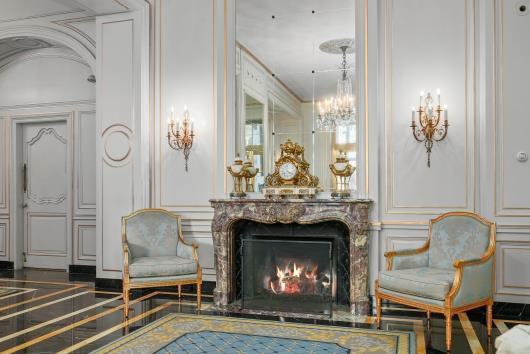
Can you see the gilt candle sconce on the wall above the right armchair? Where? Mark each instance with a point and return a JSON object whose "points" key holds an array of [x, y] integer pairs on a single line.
{"points": [[429, 117]]}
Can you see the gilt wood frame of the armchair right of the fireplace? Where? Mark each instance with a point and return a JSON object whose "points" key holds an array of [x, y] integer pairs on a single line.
{"points": [[448, 310]]}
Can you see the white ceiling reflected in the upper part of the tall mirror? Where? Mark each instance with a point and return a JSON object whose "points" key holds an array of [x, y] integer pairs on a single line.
{"points": [[285, 36]]}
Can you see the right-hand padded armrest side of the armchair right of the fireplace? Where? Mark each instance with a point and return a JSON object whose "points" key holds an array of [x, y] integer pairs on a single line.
{"points": [[473, 281]]}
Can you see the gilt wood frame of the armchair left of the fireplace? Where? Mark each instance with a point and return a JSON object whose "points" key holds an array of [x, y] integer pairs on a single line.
{"points": [[127, 285]]}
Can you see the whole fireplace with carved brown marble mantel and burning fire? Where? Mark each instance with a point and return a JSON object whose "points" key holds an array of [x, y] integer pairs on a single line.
{"points": [[321, 222]]}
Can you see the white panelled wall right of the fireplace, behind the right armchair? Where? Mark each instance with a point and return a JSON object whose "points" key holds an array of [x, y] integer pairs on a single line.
{"points": [[482, 76]]}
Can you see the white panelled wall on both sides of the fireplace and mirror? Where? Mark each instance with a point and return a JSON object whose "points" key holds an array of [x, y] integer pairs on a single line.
{"points": [[412, 45]]}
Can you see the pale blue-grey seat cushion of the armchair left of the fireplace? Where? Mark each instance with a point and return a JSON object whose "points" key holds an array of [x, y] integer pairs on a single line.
{"points": [[161, 266]]}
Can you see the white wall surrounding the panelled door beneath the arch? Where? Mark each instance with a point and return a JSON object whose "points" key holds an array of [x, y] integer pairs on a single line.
{"points": [[37, 84]]}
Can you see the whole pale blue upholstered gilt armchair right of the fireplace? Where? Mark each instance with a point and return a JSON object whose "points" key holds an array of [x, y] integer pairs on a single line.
{"points": [[451, 273]]}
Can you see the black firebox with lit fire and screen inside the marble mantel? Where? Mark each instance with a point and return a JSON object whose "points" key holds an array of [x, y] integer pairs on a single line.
{"points": [[291, 267]]}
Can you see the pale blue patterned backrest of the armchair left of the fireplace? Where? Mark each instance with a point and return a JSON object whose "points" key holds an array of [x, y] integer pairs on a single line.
{"points": [[151, 233]]}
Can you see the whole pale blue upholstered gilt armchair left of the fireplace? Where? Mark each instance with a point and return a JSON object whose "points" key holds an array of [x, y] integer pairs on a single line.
{"points": [[155, 254]]}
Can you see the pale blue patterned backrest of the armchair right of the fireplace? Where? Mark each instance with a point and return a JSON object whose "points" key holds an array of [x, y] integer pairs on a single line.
{"points": [[457, 235]]}
